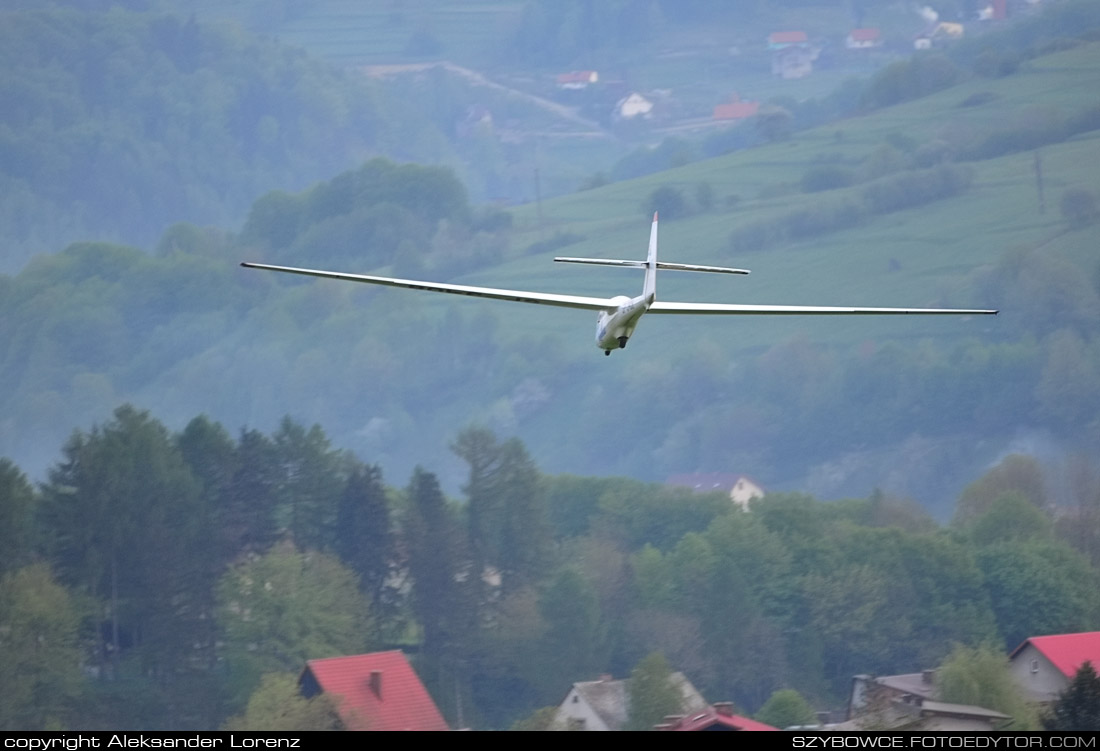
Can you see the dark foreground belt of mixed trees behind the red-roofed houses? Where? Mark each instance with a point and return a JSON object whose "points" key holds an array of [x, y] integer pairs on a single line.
{"points": [[166, 578]]}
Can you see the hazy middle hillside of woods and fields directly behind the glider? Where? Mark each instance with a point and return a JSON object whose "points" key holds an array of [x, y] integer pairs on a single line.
{"points": [[837, 407]]}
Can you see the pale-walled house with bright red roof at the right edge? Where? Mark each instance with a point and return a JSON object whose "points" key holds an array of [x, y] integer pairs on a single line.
{"points": [[1044, 667]]}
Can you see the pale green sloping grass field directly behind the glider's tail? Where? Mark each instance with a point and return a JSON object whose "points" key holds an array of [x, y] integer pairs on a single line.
{"points": [[937, 247]]}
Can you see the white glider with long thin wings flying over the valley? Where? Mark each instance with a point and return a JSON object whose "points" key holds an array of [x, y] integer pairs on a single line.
{"points": [[620, 316]]}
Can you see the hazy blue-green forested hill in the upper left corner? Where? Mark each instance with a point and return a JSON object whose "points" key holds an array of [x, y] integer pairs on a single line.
{"points": [[117, 125]]}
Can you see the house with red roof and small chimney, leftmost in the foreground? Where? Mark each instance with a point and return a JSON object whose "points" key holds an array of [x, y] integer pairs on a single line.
{"points": [[373, 692]]}
